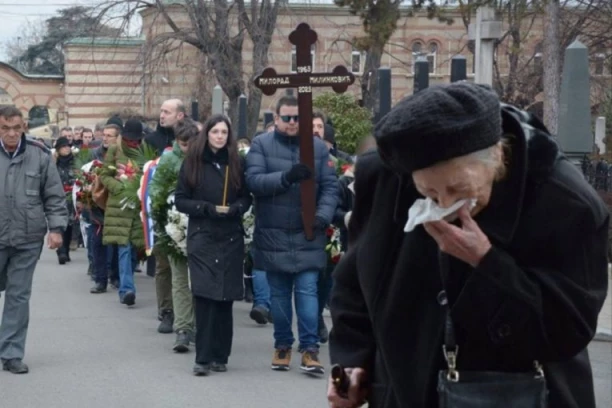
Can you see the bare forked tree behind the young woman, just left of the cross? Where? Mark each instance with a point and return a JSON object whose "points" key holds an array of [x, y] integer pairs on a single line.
{"points": [[217, 30]]}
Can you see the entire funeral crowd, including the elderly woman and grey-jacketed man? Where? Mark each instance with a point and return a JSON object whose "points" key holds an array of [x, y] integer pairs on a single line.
{"points": [[445, 249]]}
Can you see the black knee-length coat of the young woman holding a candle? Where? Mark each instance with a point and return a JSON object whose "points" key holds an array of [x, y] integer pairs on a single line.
{"points": [[215, 246]]}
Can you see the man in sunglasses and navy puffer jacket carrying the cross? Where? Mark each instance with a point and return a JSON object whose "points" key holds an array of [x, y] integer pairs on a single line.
{"points": [[280, 247]]}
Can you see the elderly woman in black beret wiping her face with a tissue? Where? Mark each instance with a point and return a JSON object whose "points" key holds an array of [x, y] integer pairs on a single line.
{"points": [[521, 268]]}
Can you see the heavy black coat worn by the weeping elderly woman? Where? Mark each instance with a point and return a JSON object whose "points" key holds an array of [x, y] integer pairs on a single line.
{"points": [[535, 296]]}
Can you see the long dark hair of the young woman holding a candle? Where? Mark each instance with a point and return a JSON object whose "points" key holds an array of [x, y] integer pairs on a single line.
{"points": [[194, 161]]}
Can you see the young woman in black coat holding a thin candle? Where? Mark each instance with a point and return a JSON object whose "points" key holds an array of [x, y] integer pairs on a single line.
{"points": [[212, 191]]}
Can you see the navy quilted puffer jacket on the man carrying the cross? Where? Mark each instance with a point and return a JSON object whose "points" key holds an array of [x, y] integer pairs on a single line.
{"points": [[279, 243]]}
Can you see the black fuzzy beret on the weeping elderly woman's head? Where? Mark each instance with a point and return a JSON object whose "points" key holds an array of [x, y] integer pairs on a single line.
{"points": [[438, 124]]}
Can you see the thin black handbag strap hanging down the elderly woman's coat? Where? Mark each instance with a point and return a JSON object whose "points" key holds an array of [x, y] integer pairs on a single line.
{"points": [[450, 347]]}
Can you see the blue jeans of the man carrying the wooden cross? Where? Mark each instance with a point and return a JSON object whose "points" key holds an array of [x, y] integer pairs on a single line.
{"points": [[282, 287]]}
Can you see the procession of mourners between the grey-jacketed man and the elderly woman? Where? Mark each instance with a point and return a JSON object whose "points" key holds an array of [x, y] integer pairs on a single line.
{"points": [[219, 182]]}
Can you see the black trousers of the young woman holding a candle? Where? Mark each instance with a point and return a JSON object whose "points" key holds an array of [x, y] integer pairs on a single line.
{"points": [[214, 330]]}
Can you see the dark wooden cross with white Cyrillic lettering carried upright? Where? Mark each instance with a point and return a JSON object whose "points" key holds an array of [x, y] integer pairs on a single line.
{"points": [[303, 37]]}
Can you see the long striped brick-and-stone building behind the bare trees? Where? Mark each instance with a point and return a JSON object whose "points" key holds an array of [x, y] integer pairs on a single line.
{"points": [[102, 75]]}
